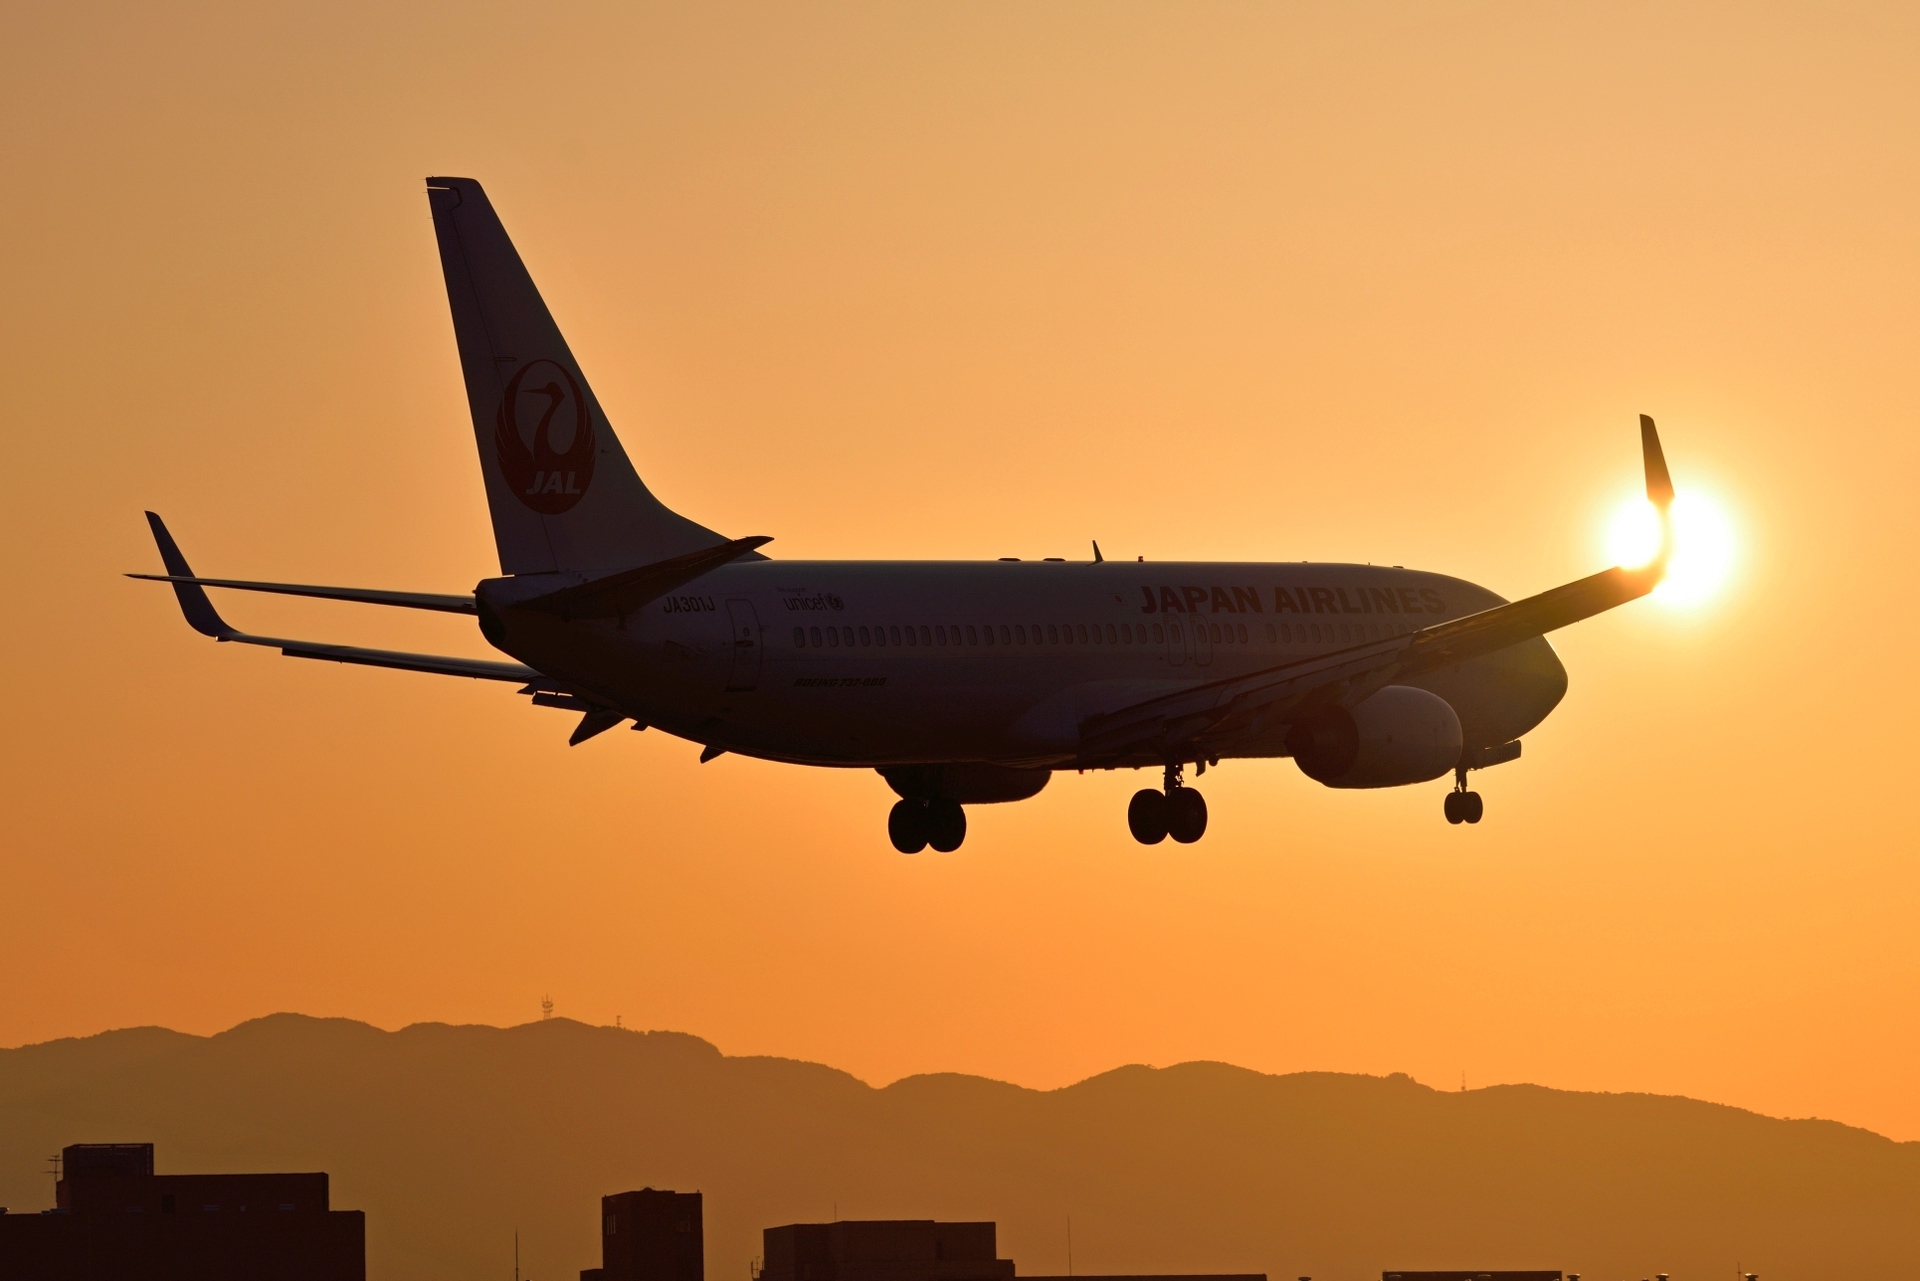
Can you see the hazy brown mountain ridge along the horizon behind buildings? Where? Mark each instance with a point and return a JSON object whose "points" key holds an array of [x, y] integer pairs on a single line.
{"points": [[454, 1138]]}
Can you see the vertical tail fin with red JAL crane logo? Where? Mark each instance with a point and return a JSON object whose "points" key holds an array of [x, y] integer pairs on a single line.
{"points": [[562, 489]]}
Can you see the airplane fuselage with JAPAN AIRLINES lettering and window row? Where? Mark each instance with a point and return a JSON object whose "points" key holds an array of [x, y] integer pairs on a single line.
{"points": [[871, 664]]}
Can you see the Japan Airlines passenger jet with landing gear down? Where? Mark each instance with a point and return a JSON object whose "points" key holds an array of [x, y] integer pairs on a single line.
{"points": [[961, 683]]}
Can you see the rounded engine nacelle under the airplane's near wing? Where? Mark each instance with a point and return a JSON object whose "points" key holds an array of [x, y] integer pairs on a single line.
{"points": [[1397, 737]]}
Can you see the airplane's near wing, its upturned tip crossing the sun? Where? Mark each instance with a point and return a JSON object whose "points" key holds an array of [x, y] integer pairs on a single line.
{"points": [[1230, 708]]}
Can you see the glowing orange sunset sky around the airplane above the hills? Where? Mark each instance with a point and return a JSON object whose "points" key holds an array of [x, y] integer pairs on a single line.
{"points": [[974, 281]]}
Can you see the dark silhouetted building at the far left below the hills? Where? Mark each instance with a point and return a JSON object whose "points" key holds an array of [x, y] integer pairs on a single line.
{"points": [[116, 1221]]}
